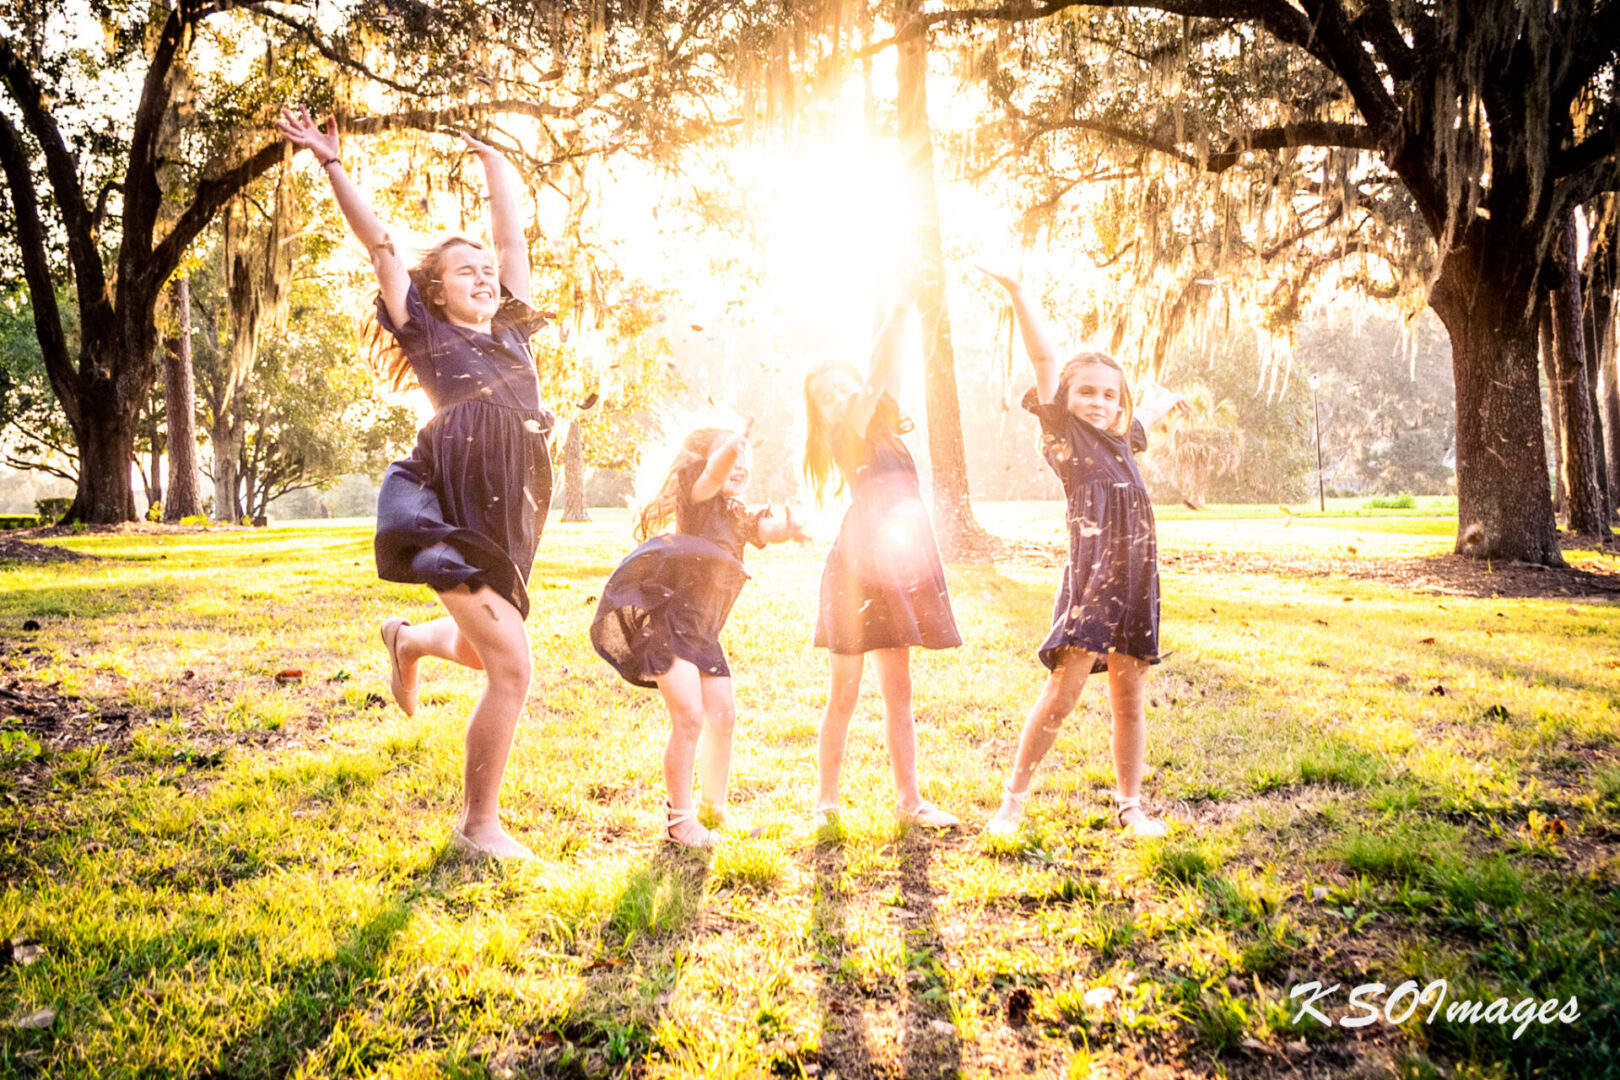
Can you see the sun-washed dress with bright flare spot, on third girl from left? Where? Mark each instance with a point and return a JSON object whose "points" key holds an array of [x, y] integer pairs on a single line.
{"points": [[884, 585]]}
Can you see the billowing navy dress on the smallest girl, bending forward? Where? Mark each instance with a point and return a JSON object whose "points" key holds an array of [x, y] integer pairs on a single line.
{"points": [[671, 597]]}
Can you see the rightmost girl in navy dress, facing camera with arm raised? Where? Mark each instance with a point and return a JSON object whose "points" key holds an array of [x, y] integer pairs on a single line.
{"points": [[1106, 618]]}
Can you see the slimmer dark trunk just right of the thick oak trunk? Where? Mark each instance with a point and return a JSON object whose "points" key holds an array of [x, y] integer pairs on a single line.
{"points": [[1588, 516]]}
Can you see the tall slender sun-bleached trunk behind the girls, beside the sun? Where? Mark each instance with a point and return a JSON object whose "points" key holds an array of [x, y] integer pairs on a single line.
{"points": [[953, 514]]}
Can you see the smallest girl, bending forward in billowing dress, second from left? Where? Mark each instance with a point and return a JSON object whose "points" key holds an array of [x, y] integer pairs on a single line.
{"points": [[662, 613]]}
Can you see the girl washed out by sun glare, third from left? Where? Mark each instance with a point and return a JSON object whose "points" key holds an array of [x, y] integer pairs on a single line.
{"points": [[884, 587]]}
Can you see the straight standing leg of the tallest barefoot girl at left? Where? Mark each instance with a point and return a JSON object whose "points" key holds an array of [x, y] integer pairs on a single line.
{"points": [[497, 634]]}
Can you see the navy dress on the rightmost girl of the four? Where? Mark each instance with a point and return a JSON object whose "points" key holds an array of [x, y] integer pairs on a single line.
{"points": [[1109, 602]]}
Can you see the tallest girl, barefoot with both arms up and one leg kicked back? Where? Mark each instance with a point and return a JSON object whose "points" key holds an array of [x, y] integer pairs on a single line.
{"points": [[464, 512]]}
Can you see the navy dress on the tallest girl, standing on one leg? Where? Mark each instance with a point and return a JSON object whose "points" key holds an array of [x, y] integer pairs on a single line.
{"points": [[469, 504]]}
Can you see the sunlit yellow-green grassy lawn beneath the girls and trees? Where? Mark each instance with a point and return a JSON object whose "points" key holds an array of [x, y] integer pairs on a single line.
{"points": [[236, 875]]}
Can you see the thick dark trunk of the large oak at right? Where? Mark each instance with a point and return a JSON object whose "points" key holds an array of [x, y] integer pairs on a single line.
{"points": [[1504, 501]]}
